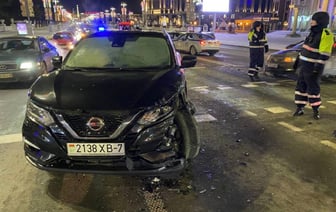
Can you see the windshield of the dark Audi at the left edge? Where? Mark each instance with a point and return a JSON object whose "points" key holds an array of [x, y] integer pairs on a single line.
{"points": [[17, 44]]}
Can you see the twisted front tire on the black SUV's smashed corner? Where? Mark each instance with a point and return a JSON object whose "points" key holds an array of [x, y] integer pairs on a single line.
{"points": [[189, 134]]}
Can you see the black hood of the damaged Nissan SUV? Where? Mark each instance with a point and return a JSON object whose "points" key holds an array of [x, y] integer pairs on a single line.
{"points": [[119, 90]]}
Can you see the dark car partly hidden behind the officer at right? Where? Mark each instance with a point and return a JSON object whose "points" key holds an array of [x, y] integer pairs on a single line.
{"points": [[281, 63]]}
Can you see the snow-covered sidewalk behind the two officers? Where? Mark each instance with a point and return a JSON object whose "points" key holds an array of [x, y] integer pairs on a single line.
{"points": [[277, 40]]}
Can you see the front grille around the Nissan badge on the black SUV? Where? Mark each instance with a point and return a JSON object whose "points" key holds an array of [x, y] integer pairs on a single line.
{"points": [[79, 122]]}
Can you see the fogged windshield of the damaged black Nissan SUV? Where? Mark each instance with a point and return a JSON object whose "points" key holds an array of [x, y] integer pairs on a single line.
{"points": [[122, 51]]}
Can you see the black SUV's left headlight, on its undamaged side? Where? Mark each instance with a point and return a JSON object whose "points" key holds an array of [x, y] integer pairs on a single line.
{"points": [[38, 114]]}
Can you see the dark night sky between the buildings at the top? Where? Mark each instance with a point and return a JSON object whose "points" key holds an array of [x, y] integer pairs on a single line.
{"points": [[100, 5]]}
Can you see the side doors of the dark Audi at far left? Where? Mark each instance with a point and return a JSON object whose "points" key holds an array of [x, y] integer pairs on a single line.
{"points": [[48, 51]]}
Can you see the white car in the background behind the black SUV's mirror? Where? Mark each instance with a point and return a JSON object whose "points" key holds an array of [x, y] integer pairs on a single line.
{"points": [[195, 43]]}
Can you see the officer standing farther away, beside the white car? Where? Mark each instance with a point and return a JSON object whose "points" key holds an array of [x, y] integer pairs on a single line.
{"points": [[258, 47]]}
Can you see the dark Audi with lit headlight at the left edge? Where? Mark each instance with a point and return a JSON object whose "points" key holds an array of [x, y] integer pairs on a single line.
{"points": [[24, 58]]}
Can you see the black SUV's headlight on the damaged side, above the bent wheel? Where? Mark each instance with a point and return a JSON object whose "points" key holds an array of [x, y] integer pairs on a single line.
{"points": [[154, 115]]}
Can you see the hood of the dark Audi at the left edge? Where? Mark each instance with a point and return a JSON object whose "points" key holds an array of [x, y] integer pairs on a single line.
{"points": [[18, 56]]}
